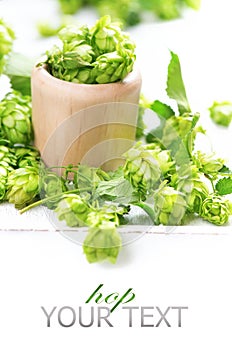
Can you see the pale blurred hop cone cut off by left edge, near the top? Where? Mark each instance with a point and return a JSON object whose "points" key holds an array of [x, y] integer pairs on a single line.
{"points": [[6, 42]]}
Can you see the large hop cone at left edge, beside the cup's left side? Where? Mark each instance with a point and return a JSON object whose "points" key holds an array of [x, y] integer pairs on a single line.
{"points": [[15, 118]]}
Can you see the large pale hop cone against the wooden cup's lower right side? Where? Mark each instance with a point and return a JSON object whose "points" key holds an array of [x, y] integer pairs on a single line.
{"points": [[142, 169]]}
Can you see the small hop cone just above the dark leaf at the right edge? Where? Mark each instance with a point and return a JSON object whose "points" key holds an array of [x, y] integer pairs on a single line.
{"points": [[208, 164]]}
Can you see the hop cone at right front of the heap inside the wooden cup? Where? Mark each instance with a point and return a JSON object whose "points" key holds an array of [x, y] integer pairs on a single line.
{"points": [[113, 66]]}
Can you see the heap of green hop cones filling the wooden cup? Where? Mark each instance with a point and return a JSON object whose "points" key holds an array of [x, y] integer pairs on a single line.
{"points": [[103, 54]]}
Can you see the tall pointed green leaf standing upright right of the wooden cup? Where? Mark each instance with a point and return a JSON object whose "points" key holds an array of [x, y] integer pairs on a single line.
{"points": [[175, 85]]}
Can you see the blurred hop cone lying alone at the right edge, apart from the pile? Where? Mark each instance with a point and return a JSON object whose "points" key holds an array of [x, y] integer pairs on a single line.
{"points": [[221, 113]]}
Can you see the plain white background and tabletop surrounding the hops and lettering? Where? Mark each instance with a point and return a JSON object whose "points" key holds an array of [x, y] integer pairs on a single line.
{"points": [[41, 268]]}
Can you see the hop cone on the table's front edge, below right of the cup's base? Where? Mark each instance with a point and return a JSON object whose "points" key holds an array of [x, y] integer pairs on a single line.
{"points": [[169, 205]]}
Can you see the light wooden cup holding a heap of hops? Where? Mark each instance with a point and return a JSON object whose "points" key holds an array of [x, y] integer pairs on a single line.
{"points": [[84, 123]]}
